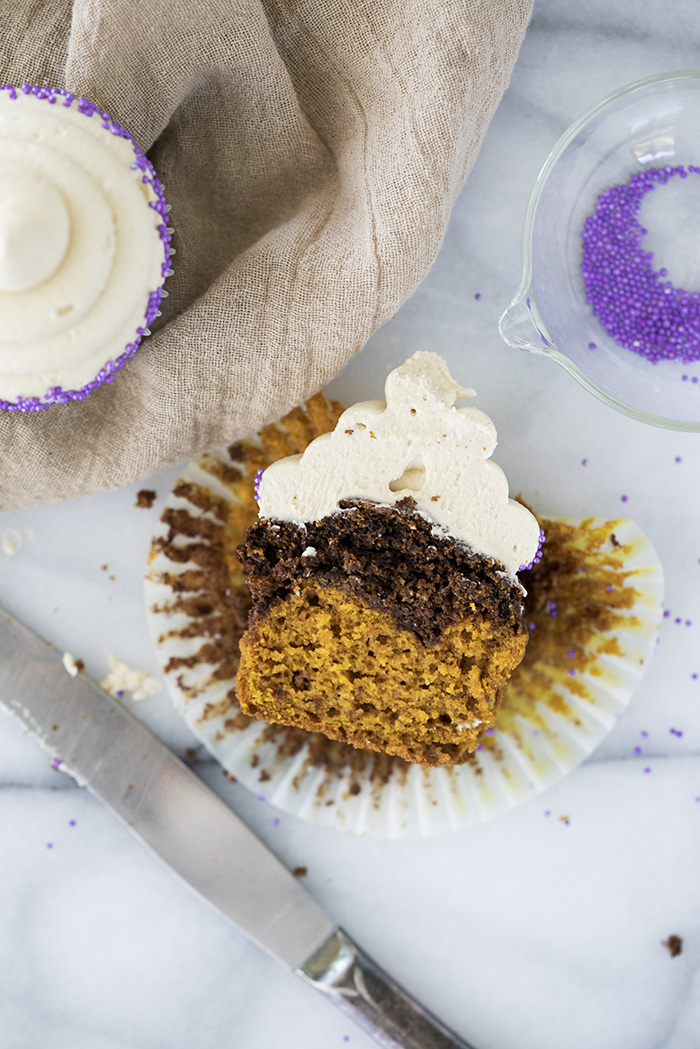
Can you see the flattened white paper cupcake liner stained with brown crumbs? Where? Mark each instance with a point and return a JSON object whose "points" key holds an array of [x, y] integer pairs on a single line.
{"points": [[550, 721]]}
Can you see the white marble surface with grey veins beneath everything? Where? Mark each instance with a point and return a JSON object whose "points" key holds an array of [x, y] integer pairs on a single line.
{"points": [[525, 933]]}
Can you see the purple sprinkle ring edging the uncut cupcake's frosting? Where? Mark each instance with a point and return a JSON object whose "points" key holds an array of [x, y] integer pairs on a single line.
{"points": [[56, 395]]}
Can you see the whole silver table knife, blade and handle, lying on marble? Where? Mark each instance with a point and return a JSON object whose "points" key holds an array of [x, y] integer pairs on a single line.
{"points": [[200, 838]]}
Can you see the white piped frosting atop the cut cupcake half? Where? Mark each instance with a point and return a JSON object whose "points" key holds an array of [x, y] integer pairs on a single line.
{"points": [[420, 444]]}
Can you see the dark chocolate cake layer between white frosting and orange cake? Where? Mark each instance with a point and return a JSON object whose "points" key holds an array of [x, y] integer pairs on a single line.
{"points": [[392, 559]]}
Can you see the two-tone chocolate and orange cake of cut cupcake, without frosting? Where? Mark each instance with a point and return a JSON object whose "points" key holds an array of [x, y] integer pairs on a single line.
{"points": [[373, 628]]}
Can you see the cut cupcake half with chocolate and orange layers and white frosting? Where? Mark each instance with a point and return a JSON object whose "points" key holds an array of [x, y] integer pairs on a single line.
{"points": [[387, 608]]}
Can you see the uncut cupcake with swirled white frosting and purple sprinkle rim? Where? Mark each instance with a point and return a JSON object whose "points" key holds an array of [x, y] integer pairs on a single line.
{"points": [[84, 247]]}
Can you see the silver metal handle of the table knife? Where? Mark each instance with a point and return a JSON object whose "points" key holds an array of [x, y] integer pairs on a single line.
{"points": [[362, 990]]}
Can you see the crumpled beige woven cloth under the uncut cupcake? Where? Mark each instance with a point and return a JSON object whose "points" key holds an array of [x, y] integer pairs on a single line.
{"points": [[312, 152]]}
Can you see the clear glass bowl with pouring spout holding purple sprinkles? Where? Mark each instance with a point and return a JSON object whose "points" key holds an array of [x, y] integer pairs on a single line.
{"points": [[649, 124]]}
